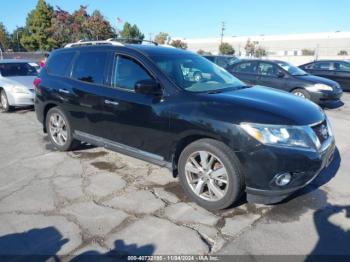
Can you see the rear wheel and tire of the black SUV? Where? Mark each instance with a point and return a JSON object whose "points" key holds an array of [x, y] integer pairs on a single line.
{"points": [[60, 133]]}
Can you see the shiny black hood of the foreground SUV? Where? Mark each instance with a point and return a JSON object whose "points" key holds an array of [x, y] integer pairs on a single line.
{"points": [[267, 106]]}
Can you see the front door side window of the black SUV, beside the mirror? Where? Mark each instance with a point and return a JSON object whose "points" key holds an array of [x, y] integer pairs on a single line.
{"points": [[127, 72]]}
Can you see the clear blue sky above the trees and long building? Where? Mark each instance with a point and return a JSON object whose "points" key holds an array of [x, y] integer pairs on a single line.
{"points": [[203, 18]]}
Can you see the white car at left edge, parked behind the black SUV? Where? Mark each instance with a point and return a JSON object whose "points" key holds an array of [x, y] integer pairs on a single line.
{"points": [[16, 84]]}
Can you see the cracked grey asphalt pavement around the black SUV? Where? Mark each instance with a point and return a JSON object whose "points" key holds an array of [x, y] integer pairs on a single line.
{"points": [[94, 201]]}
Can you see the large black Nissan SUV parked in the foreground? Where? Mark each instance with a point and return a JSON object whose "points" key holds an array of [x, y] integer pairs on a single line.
{"points": [[220, 137]]}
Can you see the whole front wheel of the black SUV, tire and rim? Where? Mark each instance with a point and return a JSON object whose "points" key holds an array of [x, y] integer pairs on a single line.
{"points": [[231, 191]]}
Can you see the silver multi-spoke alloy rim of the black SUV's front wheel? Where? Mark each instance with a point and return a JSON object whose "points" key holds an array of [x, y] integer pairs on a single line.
{"points": [[207, 176]]}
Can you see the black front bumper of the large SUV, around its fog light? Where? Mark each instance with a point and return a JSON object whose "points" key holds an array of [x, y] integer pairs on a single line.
{"points": [[262, 165]]}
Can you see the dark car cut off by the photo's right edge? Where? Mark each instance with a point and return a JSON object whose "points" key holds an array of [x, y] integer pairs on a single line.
{"points": [[337, 70]]}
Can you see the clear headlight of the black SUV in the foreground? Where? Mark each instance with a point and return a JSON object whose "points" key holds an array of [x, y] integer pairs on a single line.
{"points": [[287, 136]]}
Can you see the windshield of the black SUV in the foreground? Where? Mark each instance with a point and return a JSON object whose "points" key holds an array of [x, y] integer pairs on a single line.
{"points": [[195, 73]]}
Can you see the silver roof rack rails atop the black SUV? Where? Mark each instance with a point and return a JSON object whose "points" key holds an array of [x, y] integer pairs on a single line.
{"points": [[111, 41]]}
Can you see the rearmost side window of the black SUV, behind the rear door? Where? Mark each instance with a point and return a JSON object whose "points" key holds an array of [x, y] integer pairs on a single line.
{"points": [[59, 64]]}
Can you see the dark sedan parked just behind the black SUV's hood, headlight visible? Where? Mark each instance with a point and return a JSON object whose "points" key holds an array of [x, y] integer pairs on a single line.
{"points": [[284, 76]]}
